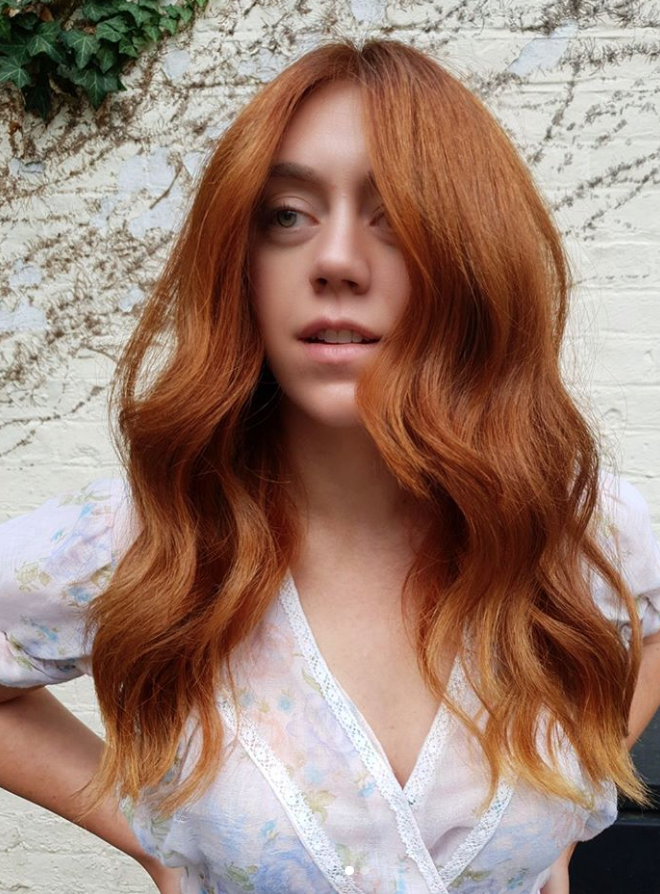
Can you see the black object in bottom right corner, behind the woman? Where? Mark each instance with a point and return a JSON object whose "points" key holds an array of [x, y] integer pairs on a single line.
{"points": [[624, 859]]}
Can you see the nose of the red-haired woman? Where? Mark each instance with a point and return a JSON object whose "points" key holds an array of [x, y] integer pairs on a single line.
{"points": [[340, 256]]}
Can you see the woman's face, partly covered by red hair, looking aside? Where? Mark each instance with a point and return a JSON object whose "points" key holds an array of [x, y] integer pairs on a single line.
{"points": [[323, 250]]}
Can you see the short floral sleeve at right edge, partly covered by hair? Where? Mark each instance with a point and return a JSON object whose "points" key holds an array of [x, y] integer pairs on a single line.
{"points": [[627, 532]]}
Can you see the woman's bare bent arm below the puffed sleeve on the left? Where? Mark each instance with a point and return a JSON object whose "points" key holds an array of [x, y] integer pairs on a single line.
{"points": [[47, 754]]}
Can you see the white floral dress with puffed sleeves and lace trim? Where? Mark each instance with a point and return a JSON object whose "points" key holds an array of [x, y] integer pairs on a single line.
{"points": [[306, 800]]}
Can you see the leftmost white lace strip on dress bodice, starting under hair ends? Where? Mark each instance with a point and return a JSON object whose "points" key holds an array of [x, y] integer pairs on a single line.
{"points": [[305, 823]]}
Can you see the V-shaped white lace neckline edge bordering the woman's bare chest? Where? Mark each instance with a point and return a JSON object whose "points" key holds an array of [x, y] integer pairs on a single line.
{"points": [[436, 736]]}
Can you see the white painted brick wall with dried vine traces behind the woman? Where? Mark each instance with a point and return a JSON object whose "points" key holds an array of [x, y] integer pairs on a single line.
{"points": [[89, 204]]}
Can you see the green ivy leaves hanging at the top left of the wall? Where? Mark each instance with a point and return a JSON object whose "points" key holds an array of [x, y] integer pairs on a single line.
{"points": [[65, 46]]}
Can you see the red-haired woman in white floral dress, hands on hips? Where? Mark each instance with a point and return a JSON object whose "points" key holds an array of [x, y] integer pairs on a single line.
{"points": [[361, 618]]}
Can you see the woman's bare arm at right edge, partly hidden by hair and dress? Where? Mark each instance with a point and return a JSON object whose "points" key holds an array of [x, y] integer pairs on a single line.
{"points": [[645, 702]]}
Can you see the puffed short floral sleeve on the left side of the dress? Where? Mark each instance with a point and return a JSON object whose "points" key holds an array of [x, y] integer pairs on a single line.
{"points": [[53, 561]]}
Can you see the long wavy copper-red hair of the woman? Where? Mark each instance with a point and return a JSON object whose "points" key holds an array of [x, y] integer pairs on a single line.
{"points": [[465, 401]]}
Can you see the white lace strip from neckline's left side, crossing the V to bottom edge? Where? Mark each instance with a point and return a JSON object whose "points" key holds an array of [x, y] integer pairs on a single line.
{"points": [[379, 768]]}
